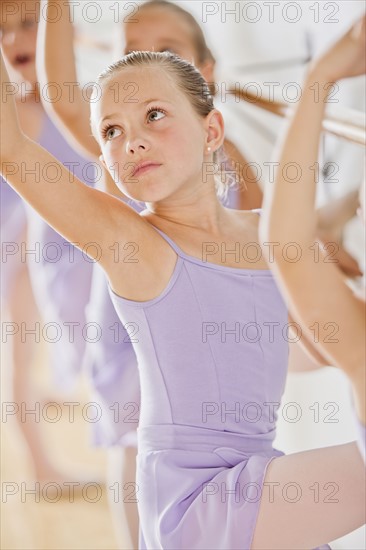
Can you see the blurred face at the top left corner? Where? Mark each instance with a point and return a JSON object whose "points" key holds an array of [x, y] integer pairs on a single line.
{"points": [[18, 36]]}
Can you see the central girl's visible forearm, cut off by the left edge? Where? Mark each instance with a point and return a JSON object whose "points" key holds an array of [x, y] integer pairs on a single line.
{"points": [[10, 132]]}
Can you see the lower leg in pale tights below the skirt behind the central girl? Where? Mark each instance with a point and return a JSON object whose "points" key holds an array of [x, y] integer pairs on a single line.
{"points": [[121, 477]]}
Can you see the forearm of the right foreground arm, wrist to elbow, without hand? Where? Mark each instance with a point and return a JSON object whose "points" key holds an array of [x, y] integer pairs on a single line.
{"points": [[289, 213]]}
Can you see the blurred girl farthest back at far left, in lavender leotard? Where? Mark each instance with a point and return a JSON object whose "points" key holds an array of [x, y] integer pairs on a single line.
{"points": [[37, 264]]}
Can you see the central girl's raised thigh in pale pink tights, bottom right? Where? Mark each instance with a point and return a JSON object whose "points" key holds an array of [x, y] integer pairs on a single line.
{"points": [[311, 498]]}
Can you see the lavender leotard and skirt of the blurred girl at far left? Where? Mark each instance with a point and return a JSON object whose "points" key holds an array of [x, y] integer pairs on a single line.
{"points": [[57, 269]]}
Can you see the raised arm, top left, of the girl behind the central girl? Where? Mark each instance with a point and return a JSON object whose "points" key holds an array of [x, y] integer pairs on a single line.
{"points": [[56, 64]]}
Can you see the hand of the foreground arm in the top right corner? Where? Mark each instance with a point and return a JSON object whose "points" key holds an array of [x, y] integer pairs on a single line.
{"points": [[346, 58]]}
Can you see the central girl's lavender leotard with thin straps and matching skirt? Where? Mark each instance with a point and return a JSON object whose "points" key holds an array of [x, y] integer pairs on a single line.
{"points": [[213, 364]]}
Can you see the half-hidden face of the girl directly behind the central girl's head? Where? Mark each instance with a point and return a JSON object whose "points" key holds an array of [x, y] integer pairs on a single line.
{"points": [[159, 30]]}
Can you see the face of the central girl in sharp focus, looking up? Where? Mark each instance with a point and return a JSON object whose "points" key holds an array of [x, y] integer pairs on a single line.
{"points": [[152, 141]]}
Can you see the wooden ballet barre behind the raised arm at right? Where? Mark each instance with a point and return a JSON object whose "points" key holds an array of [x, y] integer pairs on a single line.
{"points": [[342, 122]]}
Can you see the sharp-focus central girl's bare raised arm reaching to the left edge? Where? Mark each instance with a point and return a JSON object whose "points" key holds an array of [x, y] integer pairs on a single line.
{"points": [[81, 214]]}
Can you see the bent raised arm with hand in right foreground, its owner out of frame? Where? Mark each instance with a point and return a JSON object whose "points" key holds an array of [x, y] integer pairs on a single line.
{"points": [[316, 291]]}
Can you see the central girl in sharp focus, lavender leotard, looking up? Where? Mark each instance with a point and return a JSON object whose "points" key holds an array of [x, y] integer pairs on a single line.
{"points": [[202, 316]]}
